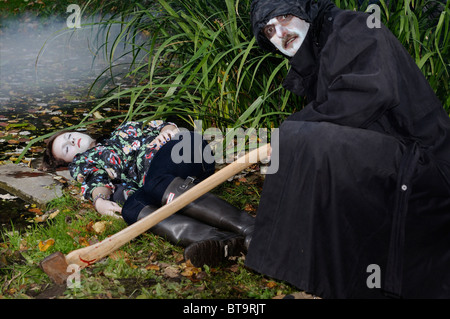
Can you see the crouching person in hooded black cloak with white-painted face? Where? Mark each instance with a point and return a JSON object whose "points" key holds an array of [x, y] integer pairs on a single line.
{"points": [[360, 204]]}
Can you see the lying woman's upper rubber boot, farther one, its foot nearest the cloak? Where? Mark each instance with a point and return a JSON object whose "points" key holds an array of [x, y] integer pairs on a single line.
{"points": [[212, 210]]}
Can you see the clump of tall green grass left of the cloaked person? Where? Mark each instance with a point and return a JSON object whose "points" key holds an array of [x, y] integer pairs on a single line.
{"points": [[202, 63]]}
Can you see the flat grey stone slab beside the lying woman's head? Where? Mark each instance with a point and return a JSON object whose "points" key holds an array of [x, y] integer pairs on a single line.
{"points": [[30, 184]]}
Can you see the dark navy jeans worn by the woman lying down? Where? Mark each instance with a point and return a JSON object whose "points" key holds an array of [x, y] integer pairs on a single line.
{"points": [[187, 154]]}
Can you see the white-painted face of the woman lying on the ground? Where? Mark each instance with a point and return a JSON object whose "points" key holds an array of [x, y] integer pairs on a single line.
{"points": [[69, 144]]}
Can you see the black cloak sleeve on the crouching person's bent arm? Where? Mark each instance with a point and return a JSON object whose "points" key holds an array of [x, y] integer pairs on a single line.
{"points": [[356, 80]]}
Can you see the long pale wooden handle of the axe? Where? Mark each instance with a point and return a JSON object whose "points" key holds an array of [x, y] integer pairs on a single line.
{"points": [[88, 255]]}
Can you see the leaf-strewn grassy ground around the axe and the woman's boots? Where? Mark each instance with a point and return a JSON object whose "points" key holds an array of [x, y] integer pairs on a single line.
{"points": [[147, 267]]}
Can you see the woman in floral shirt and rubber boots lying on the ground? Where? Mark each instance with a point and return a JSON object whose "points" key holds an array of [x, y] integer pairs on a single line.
{"points": [[135, 168]]}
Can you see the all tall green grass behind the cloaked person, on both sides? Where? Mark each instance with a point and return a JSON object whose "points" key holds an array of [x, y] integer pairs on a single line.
{"points": [[201, 61]]}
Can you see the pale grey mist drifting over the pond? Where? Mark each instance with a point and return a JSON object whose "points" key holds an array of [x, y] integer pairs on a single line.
{"points": [[42, 59]]}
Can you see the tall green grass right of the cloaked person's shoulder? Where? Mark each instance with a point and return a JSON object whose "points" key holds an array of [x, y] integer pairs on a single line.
{"points": [[423, 27]]}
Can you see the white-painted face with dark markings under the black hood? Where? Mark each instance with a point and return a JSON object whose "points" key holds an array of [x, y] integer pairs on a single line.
{"points": [[287, 33]]}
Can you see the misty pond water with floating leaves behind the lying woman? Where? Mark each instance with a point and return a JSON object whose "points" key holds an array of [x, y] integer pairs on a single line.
{"points": [[45, 76]]}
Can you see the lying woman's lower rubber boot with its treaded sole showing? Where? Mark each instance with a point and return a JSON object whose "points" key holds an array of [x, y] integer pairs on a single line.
{"points": [[204, 244]]}
